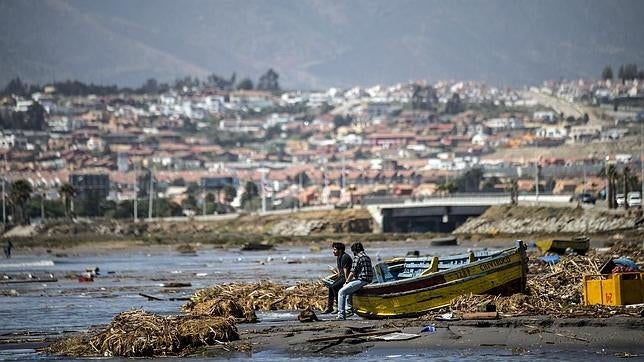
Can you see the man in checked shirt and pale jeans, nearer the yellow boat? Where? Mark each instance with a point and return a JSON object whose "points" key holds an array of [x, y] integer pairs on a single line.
{"points": [[361, 274]]}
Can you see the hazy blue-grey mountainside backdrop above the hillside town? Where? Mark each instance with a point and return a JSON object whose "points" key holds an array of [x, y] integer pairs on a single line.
{"points": [[317, 43]]}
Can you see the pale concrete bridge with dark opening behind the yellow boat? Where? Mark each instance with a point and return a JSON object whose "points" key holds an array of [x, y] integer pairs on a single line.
{"points": [[444, 214]]}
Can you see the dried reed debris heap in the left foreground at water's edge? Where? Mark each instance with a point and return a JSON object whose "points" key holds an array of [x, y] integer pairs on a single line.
{"points": [[141, 334]]}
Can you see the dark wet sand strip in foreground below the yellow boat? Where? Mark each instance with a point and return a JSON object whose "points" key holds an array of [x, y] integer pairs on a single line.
{"points": [[525, 336]]}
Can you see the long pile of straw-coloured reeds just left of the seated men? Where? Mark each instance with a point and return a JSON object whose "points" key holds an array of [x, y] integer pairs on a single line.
{"points": [[261, 296]]}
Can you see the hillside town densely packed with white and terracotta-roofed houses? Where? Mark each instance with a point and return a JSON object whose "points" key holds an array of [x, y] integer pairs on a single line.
{"points": [[202, 149]]}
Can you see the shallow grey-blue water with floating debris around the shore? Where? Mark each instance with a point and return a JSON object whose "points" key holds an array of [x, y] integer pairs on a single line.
{"points": [[31, 311]]}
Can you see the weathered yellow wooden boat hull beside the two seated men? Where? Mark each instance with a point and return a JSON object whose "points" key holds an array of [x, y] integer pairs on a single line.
{"points": [[502, 273]]}
